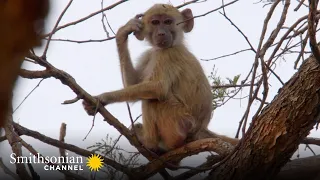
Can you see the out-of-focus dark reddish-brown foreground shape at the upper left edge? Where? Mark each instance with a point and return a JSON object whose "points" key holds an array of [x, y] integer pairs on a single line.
{"points": [[21, 23]]}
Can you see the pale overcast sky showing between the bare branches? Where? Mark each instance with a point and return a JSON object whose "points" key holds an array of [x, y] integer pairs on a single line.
{"points": [[95, 67]]}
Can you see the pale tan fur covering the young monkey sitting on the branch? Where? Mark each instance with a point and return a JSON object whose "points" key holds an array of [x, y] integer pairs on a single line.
{"points": [[175, 93]]}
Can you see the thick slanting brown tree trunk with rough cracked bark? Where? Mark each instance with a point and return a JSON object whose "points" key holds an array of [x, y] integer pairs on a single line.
{"points": [[274, 135]]}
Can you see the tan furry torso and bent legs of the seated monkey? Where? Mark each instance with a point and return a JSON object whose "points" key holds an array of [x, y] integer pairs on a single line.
{"points": [[186, 96]]}
